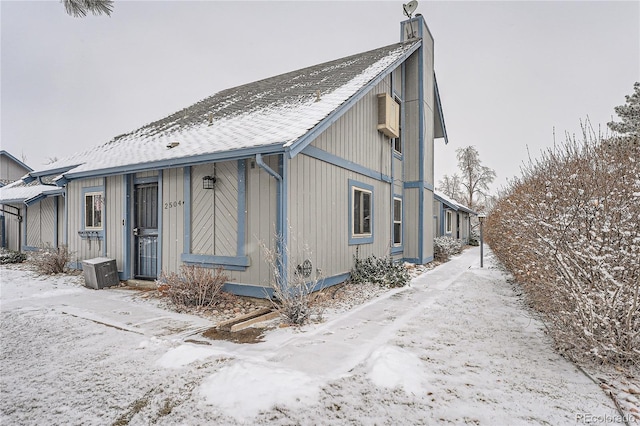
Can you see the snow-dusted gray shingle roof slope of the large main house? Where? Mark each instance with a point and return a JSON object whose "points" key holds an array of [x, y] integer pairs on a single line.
{"points": [[275, 111]]}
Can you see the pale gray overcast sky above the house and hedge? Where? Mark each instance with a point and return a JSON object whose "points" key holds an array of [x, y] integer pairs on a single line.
{"points": [[508, 72]]}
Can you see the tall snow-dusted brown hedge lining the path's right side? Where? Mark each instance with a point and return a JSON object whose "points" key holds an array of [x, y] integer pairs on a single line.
{"points": [[569, 230]]}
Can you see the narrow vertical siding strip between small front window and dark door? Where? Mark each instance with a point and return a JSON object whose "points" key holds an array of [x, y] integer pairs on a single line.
{"points": [[114, 219]]}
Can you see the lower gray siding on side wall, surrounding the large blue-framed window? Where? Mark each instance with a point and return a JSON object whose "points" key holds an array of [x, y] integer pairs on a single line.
{"points": [[319, 209]]}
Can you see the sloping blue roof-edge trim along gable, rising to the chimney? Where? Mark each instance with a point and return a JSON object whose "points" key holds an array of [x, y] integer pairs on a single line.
{"points": [[303, 141]]}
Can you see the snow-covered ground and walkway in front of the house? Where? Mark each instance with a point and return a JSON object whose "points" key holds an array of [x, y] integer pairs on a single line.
{"points": [[457, 346]]}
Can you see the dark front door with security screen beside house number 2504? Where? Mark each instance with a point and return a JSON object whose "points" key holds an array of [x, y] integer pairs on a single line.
{"points": [[145, 231]]}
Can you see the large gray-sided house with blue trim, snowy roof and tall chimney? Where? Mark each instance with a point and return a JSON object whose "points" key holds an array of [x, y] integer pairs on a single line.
{"points": [[317, 165]]}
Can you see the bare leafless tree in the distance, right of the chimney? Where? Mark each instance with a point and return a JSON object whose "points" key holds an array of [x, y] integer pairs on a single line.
{"points": [[475, 177]]}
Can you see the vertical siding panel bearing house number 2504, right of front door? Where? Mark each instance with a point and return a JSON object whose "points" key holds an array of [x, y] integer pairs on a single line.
{"points": [[172, 218]]}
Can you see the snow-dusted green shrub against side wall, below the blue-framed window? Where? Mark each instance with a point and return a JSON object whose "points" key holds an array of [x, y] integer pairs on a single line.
{"points": [[383, 271]]}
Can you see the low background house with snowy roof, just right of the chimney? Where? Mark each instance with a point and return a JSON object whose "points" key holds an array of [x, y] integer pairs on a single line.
{"points": [[451, 218]]}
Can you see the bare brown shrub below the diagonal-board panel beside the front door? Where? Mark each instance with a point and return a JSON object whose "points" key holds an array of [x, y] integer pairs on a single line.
{"points": [[193, 286]]}
